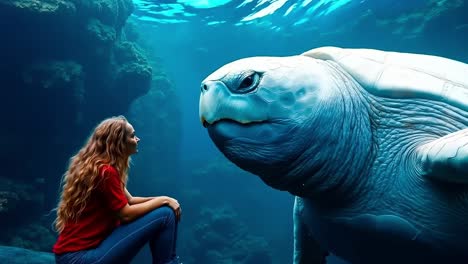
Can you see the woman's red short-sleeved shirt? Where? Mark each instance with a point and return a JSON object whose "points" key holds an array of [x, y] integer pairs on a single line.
{"points": [[99, 217]]}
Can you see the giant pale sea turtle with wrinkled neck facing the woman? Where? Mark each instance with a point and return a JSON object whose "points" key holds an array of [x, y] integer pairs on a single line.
{"points": [[373, 144]]}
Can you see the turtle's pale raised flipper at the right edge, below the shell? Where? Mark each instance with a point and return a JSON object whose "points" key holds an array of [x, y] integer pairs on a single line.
{"points": [[446, 158]]}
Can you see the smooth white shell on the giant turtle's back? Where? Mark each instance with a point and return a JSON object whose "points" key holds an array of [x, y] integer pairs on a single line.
{"points": [[402, 75]]}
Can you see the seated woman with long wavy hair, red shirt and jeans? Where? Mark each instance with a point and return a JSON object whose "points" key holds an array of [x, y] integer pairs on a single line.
{"points": [[98, 220]]}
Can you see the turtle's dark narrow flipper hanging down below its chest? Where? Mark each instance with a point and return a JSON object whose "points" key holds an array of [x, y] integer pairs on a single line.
{"points": [[306, 249]]}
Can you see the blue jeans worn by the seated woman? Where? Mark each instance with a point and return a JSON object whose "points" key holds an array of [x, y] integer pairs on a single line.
{"points": [[158, 227]]}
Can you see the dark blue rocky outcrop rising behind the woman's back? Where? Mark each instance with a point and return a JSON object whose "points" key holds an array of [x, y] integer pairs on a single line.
{"points": [[65, 66]]}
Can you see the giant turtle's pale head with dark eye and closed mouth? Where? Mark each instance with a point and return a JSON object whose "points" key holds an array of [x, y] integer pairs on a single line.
{"points": [[266, 114]]}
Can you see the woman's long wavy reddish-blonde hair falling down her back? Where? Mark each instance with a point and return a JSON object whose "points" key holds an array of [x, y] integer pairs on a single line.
{"points": [[106, 145]]}
